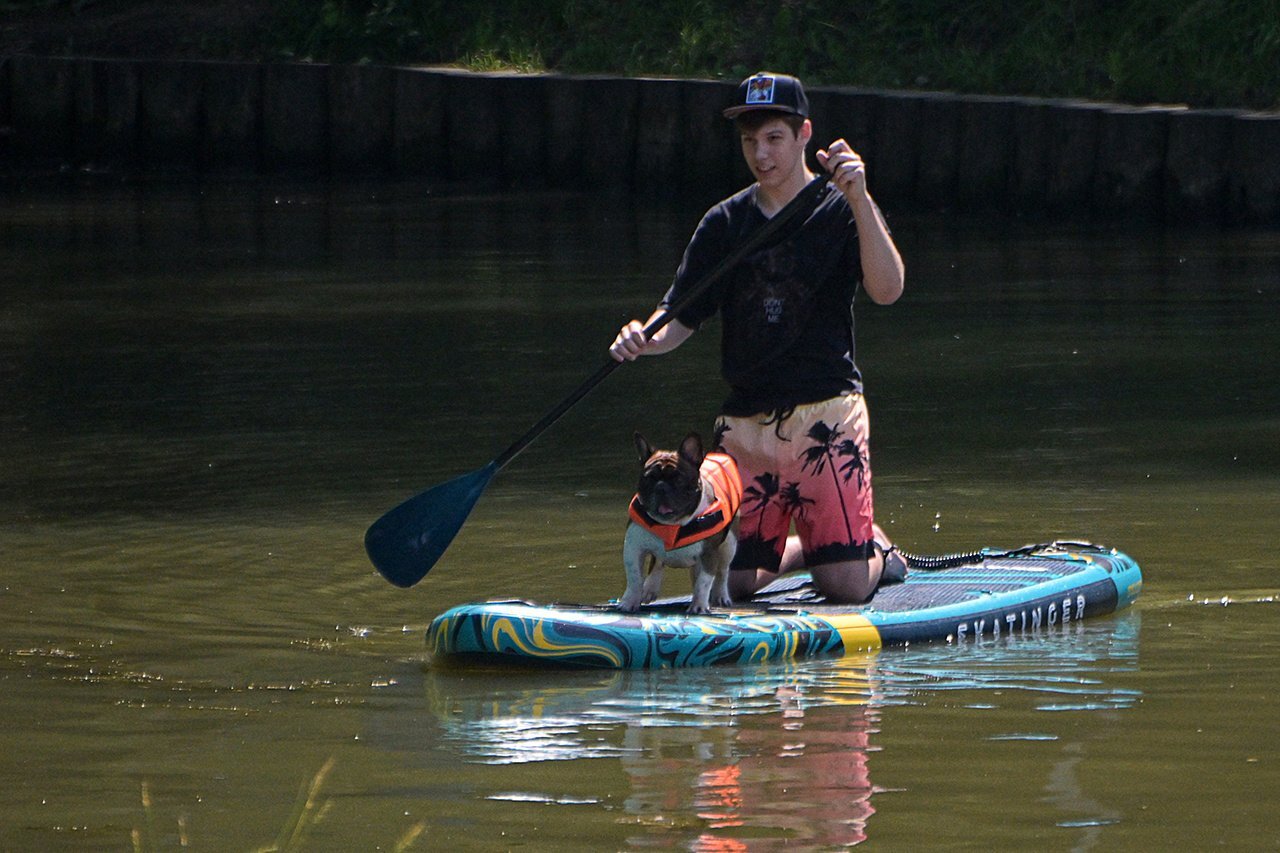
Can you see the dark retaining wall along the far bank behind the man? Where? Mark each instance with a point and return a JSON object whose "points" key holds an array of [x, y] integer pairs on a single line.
{"points": [[926, 152]]}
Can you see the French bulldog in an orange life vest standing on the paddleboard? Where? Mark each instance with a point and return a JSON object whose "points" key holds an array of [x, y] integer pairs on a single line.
{"points": [[684, 516]]}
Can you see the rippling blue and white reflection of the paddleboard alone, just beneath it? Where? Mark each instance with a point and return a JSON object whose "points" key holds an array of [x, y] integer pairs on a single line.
{"points": [[1066, 669]]}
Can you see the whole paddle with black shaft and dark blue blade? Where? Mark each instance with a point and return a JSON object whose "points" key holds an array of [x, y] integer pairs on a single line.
{"points": [[405, 544]]}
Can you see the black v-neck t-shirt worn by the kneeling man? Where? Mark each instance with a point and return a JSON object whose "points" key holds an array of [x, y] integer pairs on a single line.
{"points": [[788, 311]]}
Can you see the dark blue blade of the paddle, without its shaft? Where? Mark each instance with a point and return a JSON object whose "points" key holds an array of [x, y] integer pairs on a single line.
{"points": [[405, 544]]}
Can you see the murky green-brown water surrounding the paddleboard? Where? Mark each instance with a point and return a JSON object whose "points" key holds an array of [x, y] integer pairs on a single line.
{"points": [[211, 391]]}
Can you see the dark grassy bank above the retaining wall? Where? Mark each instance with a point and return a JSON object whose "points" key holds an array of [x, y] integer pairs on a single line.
{"points": [[1205, 53]]}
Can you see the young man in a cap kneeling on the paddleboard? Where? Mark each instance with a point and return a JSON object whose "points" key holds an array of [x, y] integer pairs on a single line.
{"points": [[796, 419]]}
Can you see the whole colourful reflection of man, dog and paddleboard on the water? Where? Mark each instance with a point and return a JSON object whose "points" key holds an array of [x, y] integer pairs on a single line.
{"points": [[776, 752]]}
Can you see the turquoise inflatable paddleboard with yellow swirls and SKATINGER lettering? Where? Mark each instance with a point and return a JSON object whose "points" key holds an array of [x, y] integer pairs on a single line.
{"points": [[984, 595]]}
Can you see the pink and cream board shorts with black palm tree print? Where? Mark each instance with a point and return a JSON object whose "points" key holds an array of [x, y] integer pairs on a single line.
{"points": [[810, 467]]}
